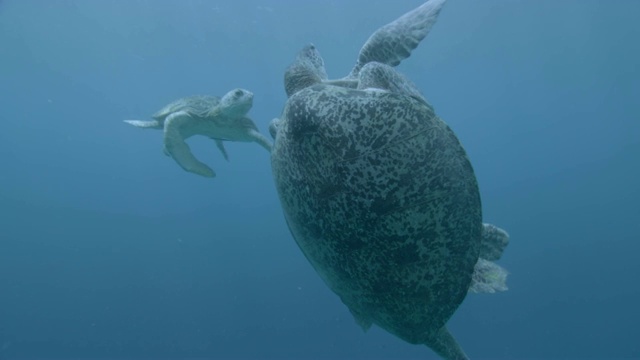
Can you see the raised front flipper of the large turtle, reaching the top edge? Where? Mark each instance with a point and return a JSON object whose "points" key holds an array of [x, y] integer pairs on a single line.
{"points": [[394, 42]]}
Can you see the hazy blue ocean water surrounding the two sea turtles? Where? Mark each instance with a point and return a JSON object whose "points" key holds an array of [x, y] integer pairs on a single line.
{"points": [[109, 250]]}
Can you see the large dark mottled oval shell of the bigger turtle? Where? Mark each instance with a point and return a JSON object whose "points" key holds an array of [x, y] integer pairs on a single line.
{"points": [[382, 199]]}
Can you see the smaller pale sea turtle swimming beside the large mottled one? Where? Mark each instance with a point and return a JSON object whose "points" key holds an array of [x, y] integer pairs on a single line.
{"points": [[221, 119]]}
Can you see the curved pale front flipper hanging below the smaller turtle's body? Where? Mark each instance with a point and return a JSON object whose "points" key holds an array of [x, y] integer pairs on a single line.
{"points": [[177, 148]]}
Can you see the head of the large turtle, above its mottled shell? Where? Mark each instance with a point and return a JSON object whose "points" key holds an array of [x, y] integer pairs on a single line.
{"points": [[306, 70]]}
